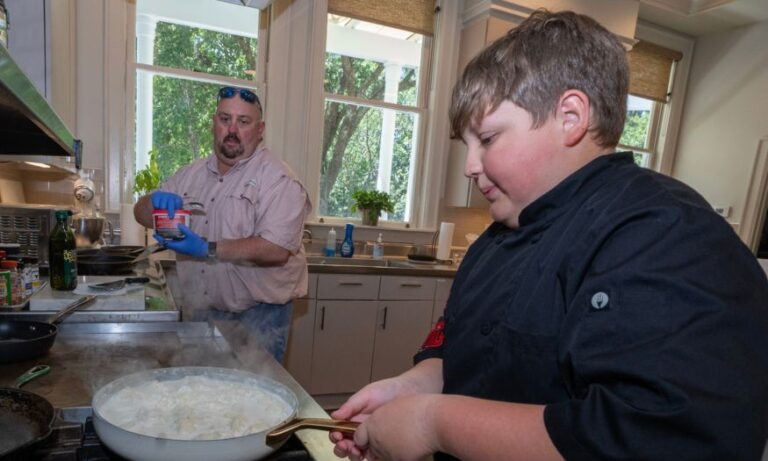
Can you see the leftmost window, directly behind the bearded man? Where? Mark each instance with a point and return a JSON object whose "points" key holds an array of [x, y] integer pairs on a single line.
{"points": [[185, 51]]}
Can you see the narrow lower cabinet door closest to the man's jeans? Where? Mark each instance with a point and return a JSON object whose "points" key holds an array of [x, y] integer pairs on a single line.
{"points": [[298, 355]]}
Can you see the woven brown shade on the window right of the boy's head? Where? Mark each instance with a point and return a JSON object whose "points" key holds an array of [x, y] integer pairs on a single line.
{"points": [[650, 70]]}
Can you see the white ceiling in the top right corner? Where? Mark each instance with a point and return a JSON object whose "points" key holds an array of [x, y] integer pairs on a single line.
{"points": [[703, 17]]}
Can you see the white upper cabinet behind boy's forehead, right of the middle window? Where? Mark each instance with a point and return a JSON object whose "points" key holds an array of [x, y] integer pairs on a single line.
{"points": [[459, 190]]}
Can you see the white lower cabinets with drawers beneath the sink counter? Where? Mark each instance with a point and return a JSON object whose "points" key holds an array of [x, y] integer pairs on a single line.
{"points": [[354, 329]]}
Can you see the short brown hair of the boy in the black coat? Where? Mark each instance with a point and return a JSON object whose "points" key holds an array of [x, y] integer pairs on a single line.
{"points": [[536, 62]]}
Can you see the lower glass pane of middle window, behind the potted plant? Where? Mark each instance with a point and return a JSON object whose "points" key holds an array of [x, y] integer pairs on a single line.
{"points": [[365, 148]]}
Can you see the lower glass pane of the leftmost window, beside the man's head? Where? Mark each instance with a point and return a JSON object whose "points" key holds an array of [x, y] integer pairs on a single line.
{"points": [[181, 121]]}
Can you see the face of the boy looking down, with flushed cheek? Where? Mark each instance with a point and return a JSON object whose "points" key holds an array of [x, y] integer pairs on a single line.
{"points": [[511, 163]]}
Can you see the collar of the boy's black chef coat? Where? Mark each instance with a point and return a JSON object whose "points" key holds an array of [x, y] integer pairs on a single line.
{"points": [[581, 182]]}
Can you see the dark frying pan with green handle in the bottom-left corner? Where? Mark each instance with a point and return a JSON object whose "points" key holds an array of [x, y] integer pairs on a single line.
{"points": [[25, 418]]}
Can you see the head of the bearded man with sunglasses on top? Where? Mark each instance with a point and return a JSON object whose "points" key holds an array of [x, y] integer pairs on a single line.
{"points": [[237, 125]]}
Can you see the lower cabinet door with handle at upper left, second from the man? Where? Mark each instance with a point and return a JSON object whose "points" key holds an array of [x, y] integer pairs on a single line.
{"points": [[343, 346]]}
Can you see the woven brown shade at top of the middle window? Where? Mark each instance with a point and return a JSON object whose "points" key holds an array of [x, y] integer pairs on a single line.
{"points": [[412, 15]]}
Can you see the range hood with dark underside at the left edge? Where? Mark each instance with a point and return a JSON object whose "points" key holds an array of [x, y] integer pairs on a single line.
{"points": [[29, 128]]}
